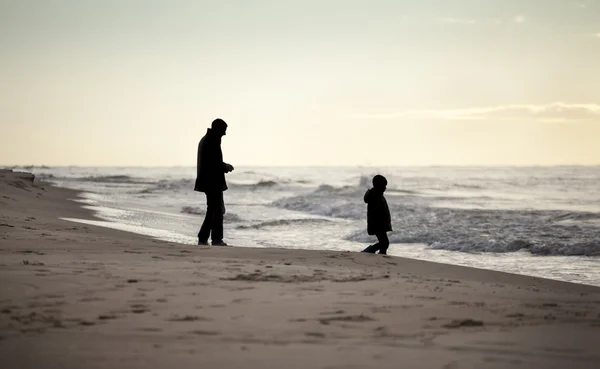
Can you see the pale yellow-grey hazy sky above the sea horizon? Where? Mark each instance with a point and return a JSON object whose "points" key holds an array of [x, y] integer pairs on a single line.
{"points": [[300, 82]]}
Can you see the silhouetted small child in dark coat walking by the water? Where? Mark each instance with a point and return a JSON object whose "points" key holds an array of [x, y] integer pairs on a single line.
{"points": [[379, 221]]}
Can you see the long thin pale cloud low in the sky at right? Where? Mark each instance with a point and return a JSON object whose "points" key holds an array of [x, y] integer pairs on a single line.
{"points": [[555, 112]]}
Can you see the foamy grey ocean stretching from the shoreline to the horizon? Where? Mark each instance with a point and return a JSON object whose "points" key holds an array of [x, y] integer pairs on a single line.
{"points": [[537, 221]]}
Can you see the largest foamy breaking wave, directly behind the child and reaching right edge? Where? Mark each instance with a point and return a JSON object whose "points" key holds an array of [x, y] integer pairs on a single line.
{"points": [[417, 220]]}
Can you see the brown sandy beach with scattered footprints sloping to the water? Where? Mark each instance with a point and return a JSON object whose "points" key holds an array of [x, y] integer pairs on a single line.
{"points": [[79, 296]]}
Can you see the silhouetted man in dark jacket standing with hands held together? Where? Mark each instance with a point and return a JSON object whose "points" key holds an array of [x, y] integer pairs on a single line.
{"points": [[211, 180]]}
